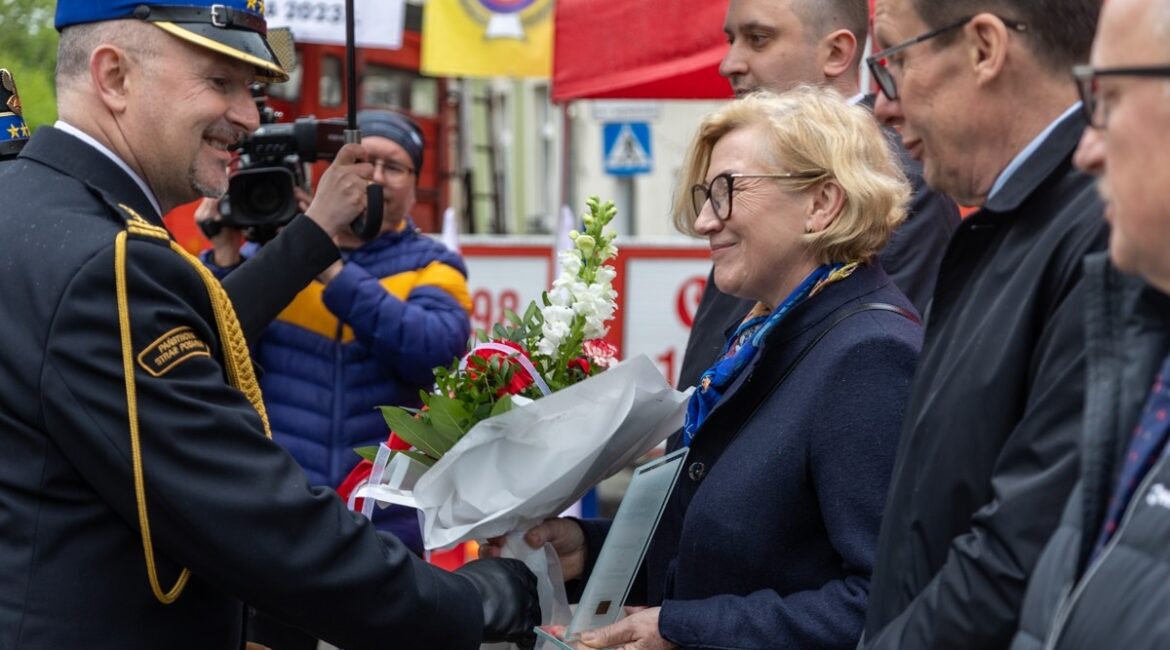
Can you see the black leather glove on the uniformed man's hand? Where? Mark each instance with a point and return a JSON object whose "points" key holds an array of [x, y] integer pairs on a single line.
{"points": [[511, 605]]}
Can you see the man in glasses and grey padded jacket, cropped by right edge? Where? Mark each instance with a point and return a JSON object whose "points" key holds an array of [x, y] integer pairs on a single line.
{"points": [[1102, 582]]}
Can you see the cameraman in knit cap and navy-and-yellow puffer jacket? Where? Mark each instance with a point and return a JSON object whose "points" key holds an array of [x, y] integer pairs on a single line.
{"points": [[368, 333]]}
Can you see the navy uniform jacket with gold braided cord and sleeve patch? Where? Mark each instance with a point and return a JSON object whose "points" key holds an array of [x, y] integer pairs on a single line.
{"points": [[222, 500]]}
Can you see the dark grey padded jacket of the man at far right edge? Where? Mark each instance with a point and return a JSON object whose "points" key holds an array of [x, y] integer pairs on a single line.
{"points": [[1120, 600]]}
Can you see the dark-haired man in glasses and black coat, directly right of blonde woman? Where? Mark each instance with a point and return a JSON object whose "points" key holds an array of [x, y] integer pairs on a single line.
{"points": [[988, 454]]}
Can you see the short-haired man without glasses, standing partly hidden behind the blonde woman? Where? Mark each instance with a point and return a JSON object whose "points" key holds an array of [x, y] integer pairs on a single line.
{"points": [[776, 45]]}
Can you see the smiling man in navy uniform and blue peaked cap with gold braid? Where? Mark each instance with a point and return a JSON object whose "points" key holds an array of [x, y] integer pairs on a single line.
{"points": [[142, 504]]}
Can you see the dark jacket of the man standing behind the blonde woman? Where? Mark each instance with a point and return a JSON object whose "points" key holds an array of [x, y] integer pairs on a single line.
{"points": [[911, 258]]}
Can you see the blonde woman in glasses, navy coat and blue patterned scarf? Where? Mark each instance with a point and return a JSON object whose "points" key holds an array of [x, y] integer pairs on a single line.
{"points": [[769, 537]]}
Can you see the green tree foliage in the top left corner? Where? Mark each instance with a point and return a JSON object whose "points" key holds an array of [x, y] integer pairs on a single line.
{"points": [[31, 54]]}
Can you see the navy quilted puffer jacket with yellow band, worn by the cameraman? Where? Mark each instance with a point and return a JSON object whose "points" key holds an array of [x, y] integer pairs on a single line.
{"points": [[373, 337]]}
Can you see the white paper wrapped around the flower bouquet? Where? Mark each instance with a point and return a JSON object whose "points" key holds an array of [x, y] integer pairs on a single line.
{"points": [[513, 472]]}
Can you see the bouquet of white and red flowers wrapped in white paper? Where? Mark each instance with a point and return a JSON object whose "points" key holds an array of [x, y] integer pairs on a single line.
{"points": [[528, 421]]}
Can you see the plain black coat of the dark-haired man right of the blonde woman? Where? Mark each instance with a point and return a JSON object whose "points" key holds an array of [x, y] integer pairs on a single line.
{"points": [[988, 454]]}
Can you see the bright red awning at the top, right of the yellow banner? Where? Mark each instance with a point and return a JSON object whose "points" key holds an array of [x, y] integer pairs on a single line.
{"points": [[641, 50]]}
